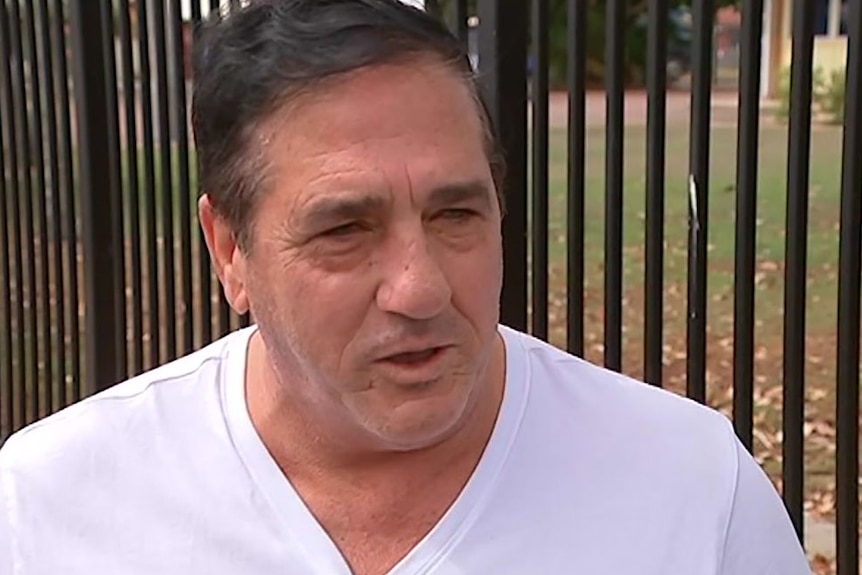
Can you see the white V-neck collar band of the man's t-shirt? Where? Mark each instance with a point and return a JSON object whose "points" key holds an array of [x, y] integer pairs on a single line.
{"points": [[299, 523]]}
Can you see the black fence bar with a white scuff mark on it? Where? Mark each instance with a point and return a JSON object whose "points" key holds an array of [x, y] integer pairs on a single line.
{"points": [[702, 13]]}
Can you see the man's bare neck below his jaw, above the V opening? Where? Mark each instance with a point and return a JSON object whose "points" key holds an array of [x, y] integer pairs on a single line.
{"points": [[305, 447]]}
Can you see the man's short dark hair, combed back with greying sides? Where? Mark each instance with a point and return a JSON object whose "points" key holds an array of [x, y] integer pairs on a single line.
{"points": [[254, 60]]}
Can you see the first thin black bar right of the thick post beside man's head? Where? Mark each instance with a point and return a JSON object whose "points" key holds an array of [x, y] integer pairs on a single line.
{"points": [[539, 99]]}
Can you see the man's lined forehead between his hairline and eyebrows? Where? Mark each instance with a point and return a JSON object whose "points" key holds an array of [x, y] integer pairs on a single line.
{"points": [[340, 136]]}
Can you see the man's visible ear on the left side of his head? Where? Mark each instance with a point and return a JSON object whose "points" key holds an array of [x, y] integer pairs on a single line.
{"points": [[227, 258]]}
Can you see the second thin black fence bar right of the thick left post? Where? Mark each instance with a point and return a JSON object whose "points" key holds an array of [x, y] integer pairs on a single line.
{"points": [[149, 188]]}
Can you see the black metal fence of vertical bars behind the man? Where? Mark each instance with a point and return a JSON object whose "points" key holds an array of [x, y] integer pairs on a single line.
{"points": [[103, 272]]}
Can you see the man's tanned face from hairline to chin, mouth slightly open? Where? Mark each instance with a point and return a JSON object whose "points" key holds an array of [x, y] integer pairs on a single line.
{"points": [[375, 267]]}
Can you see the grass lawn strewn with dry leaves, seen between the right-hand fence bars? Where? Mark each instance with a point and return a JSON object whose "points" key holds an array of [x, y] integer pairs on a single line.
{"points": [[822, 278]]}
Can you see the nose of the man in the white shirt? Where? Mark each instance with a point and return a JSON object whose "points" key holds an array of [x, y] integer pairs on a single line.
{"points": [[414, 285]]}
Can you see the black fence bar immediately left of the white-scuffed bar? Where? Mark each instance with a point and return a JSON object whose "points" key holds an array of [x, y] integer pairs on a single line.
{"points": [[654, 249]]}
